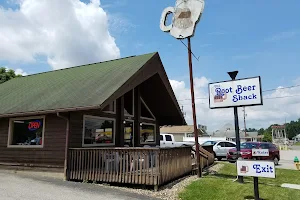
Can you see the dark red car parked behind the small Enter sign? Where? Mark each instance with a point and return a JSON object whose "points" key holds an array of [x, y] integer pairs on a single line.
{"points": [[246, 152]]}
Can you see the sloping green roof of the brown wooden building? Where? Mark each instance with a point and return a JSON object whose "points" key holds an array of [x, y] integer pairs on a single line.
{"points": [[76, 87]]}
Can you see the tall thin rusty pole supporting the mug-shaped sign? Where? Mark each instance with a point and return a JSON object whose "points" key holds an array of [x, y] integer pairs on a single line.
{"points": [[198, 164]]}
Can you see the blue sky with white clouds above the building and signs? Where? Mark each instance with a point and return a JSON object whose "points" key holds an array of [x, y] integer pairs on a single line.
{"points": [[257, 38]]}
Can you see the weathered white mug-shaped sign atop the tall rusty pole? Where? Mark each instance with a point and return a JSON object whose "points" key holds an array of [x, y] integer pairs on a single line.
{"points": [[186, 14]]}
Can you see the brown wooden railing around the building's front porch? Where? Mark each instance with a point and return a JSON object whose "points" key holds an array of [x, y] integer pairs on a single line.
{"points": [[147, 166]]}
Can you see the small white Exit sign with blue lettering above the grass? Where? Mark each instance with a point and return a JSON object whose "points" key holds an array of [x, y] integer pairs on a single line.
{"points": [[256, 168]]}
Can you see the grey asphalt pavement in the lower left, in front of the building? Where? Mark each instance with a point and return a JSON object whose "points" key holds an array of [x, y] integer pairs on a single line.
{"points": [[21, 187]]}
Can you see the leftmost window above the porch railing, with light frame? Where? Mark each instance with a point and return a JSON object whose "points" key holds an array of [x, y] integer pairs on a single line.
{"points": [[98, 131]]}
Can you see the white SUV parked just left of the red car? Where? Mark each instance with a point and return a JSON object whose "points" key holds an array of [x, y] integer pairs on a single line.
{"points": [[220, 148]]}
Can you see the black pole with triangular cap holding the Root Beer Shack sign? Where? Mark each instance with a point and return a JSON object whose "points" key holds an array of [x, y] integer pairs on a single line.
{"points": [[237, 129]]}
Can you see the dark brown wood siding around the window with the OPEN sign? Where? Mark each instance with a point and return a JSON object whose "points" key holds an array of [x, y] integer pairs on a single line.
{"points": [[52, 154]]}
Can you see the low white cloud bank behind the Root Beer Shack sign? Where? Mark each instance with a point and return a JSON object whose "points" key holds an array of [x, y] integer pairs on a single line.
{"points": [[277, 106]]}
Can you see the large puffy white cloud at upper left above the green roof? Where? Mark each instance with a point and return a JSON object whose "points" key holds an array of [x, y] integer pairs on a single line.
{"points": [[67, 33]]}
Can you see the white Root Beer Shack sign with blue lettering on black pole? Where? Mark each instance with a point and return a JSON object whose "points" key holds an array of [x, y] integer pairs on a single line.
{"points": [[243, 92]]}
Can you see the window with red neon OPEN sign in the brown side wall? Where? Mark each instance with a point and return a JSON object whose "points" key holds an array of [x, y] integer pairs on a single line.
{"points": [[25, 132]]}
